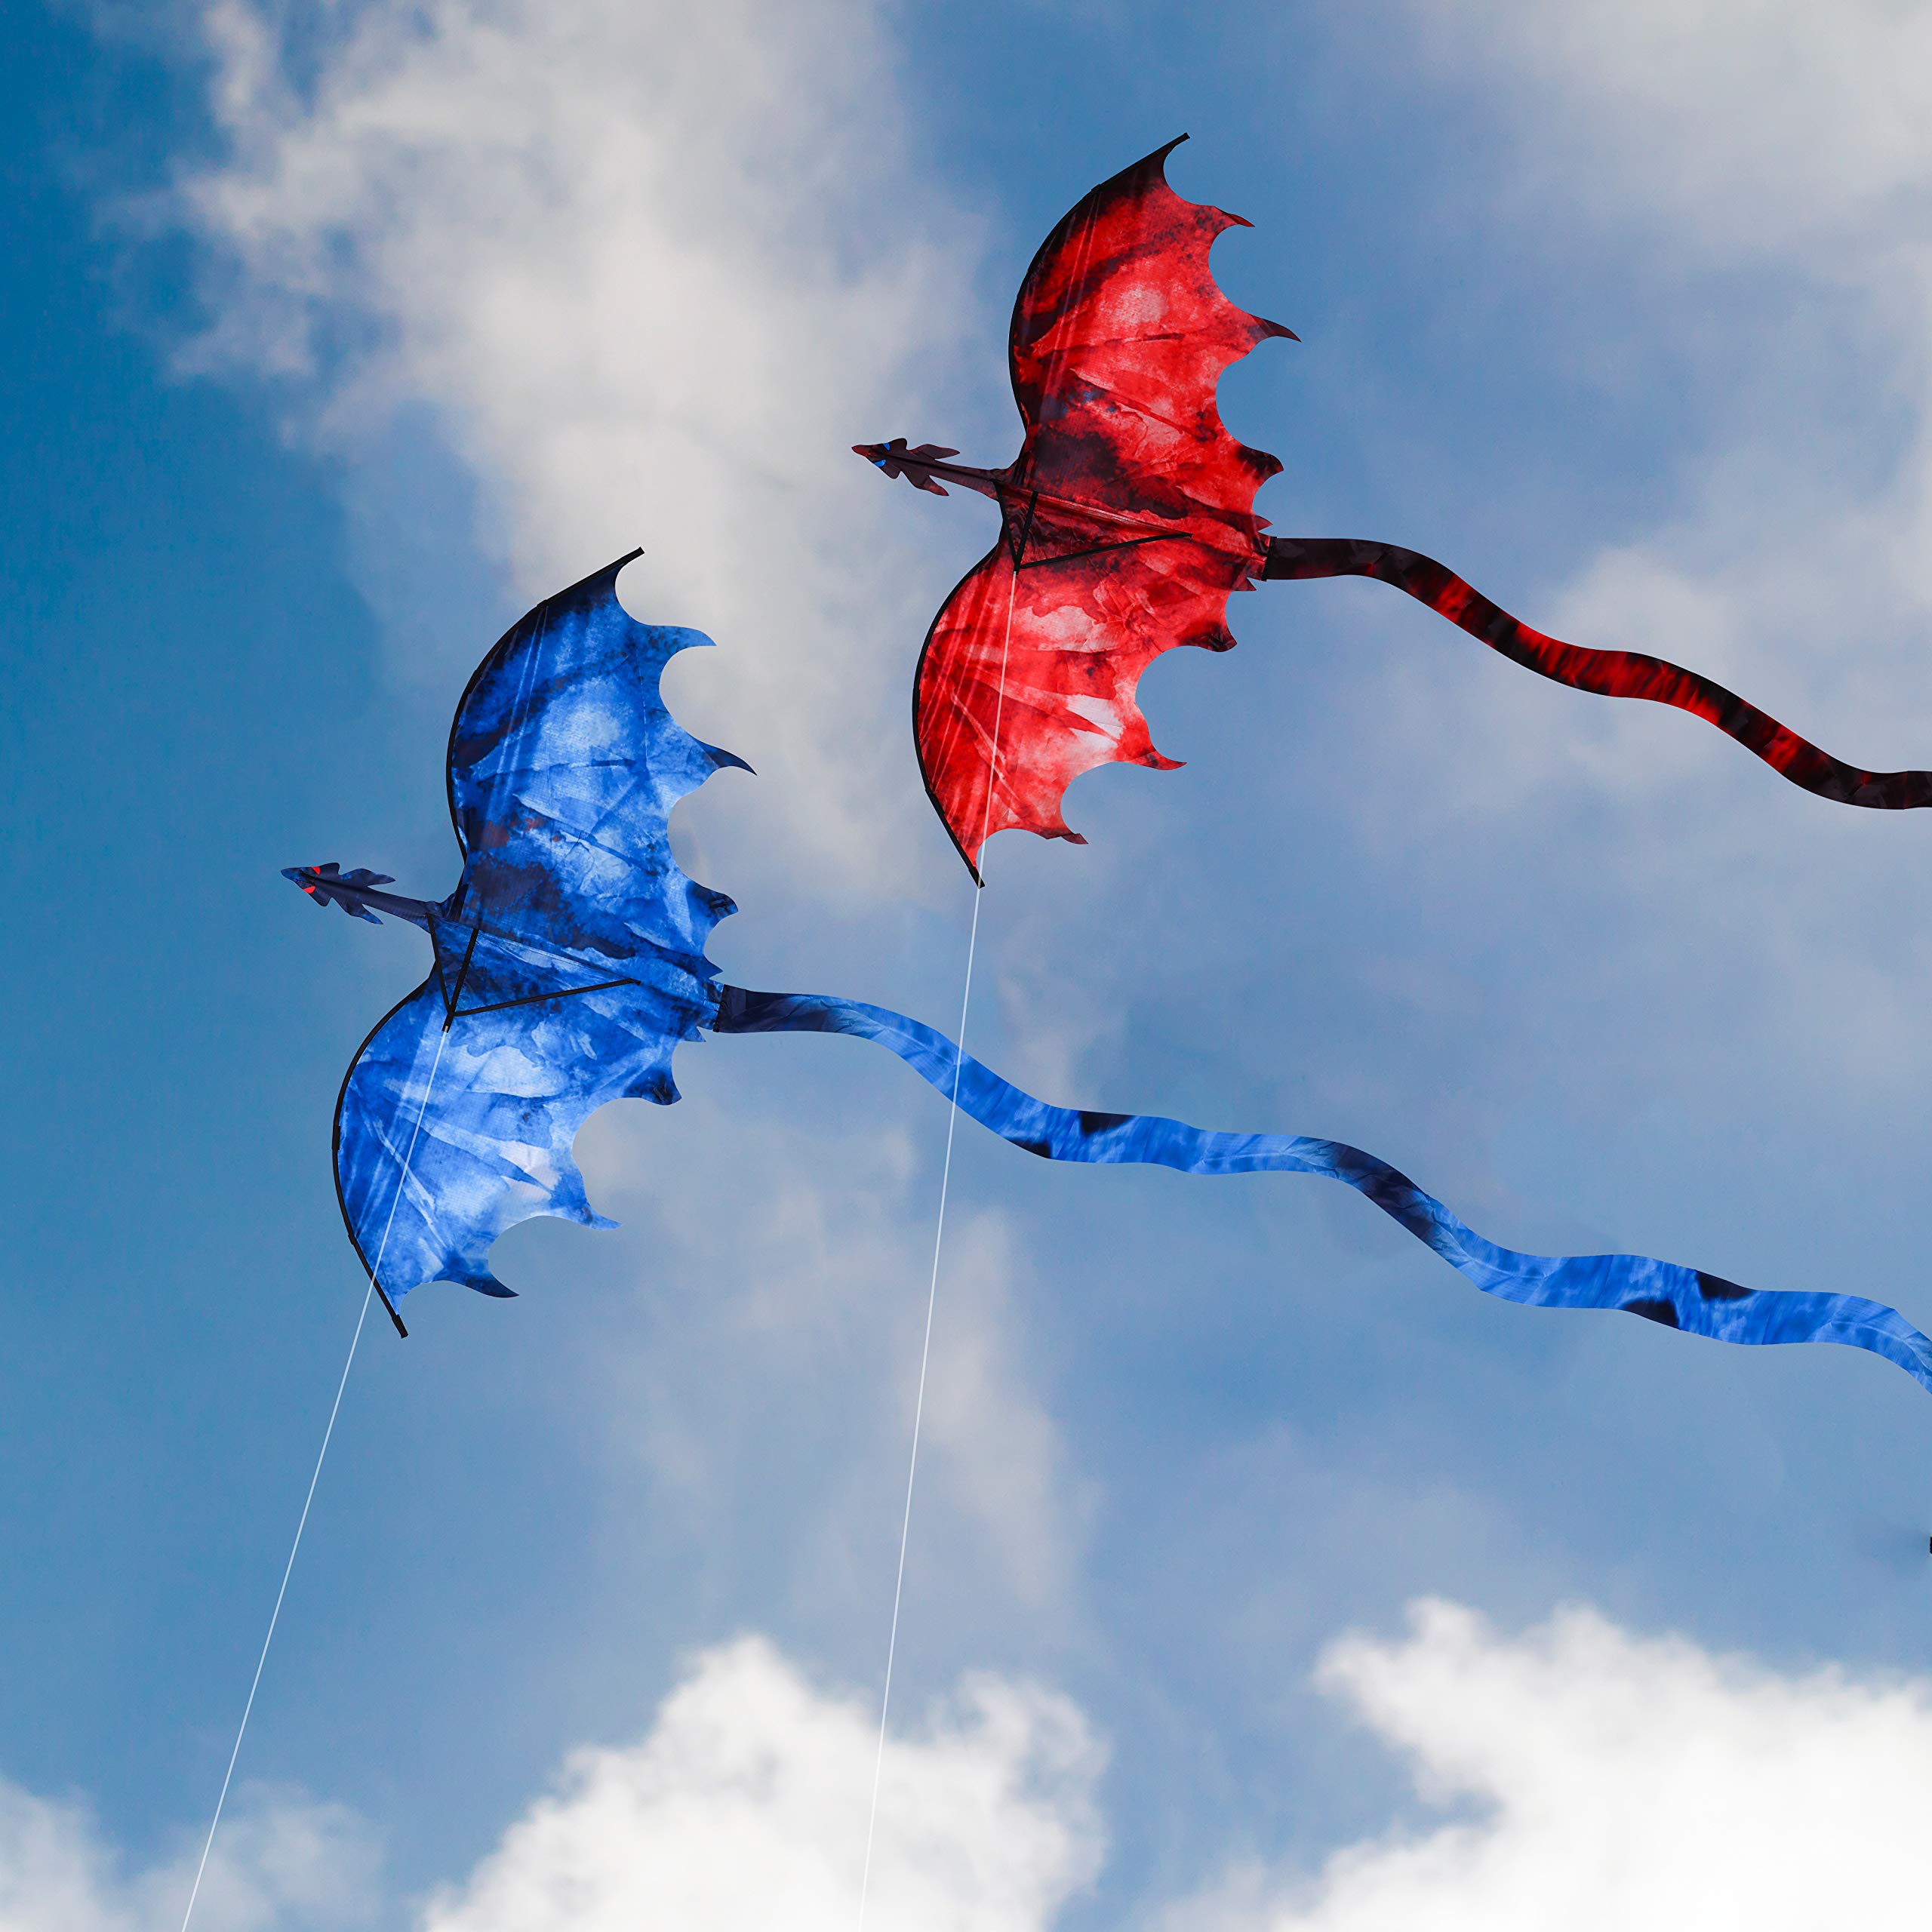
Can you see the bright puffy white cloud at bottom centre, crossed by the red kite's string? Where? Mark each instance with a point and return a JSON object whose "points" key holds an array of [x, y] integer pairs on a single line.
{"points": [[747, 1807]]}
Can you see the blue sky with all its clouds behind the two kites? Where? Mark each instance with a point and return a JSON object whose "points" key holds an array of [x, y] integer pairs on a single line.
{"points": [[1263, 1577]]}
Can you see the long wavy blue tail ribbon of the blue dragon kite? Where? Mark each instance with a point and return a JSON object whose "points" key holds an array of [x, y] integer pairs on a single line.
{"points": [[1661, 1292]]}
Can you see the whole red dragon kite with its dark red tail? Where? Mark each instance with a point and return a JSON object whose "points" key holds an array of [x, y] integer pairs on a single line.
{"points": [[1127, 523]]}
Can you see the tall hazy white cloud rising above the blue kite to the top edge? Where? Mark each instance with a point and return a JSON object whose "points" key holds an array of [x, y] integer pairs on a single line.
{"points": [[648, 271]]}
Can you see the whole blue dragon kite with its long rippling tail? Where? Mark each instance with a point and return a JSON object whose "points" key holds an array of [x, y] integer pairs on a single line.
{"points": [[571, 961]]}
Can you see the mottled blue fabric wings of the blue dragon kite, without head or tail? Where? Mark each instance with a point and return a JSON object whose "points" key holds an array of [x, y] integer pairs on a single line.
{"points": [[571, 959]]}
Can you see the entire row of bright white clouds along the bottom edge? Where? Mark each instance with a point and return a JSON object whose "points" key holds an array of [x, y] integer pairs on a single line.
{"points": [[1593, 1778]]}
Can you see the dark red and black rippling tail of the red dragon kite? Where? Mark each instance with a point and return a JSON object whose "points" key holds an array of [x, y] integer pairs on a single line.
{"points": [[1606, 673]]}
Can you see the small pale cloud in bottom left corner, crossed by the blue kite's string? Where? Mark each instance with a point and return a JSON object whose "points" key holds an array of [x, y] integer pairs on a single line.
{"points": [[281, 1865]]}
